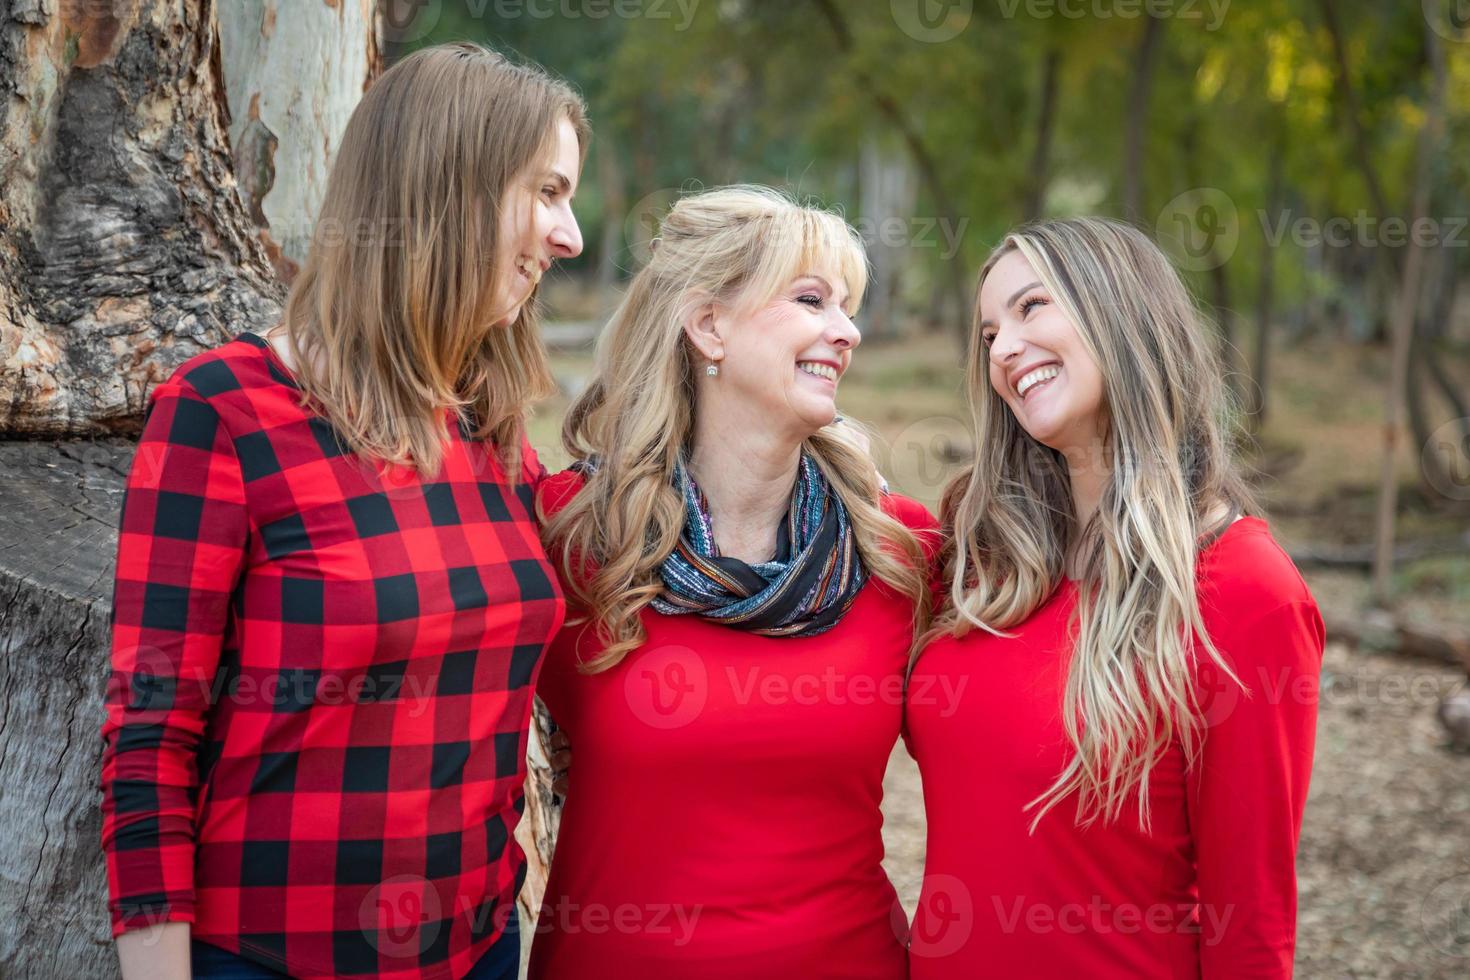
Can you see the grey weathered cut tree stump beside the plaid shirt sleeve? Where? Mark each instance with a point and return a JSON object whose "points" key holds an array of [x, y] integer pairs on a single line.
{"points": [[60, 508]]}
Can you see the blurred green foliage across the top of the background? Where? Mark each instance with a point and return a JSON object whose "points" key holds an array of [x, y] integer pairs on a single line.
{"points": [[712, 92]]}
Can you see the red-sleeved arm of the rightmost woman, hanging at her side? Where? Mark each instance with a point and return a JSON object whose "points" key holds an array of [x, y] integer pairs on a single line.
{"points": [[1249, 791]]}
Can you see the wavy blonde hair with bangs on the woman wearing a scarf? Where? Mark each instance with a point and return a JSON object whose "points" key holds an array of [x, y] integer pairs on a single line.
{"points": [[736, 248]]}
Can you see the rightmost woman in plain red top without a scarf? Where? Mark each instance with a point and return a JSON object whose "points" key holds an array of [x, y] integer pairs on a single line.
{"points": [[1143, 656]]}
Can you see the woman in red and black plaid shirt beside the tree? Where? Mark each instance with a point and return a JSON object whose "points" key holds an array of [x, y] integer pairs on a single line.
{"points": [[331, 597]]}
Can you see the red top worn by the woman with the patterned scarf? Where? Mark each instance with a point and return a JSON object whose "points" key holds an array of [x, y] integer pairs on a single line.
{"points": [[723, 819]]}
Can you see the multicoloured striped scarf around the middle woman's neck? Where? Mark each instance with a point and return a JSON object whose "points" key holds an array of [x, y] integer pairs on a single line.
{"points": [[803, 591]]}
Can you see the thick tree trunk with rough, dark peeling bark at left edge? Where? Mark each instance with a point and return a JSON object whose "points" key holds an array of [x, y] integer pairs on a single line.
{"points": [[124, 245]]}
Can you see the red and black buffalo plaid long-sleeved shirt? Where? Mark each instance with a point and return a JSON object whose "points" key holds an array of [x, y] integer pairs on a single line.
{"points": [[323, 674]]}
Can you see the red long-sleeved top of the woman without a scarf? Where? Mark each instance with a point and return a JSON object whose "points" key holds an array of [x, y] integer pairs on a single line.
{"points": [[1211, 890]]}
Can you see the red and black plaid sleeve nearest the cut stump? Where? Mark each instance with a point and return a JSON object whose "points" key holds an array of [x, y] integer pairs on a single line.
{"points": [[182, 547]]}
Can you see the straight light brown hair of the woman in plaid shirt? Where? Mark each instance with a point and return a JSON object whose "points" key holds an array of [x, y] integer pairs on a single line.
{"points": [[390, 321]]}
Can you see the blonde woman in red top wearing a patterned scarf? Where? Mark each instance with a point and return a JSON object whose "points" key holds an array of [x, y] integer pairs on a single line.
{"points": [[743, 600]]}
